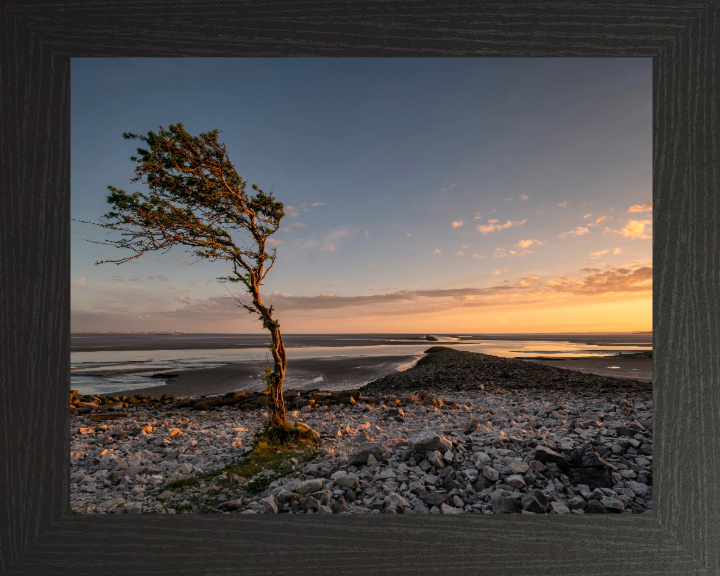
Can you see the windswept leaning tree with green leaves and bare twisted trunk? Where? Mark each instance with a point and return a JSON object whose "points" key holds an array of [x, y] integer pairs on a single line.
{"points": [[197, 199]]}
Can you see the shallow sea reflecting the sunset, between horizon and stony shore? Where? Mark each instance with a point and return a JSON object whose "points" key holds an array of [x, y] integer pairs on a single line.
{"points": [[103, 363]]}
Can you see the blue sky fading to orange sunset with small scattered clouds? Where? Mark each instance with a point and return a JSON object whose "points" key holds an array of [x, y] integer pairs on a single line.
{"points": [[421, 195]]}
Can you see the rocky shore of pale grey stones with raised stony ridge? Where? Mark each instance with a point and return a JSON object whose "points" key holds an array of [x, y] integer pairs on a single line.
{"points": [[460, 432]]}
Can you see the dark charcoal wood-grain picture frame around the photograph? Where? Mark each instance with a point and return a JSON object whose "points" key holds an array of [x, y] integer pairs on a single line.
{"points": [[38, 536]]}
